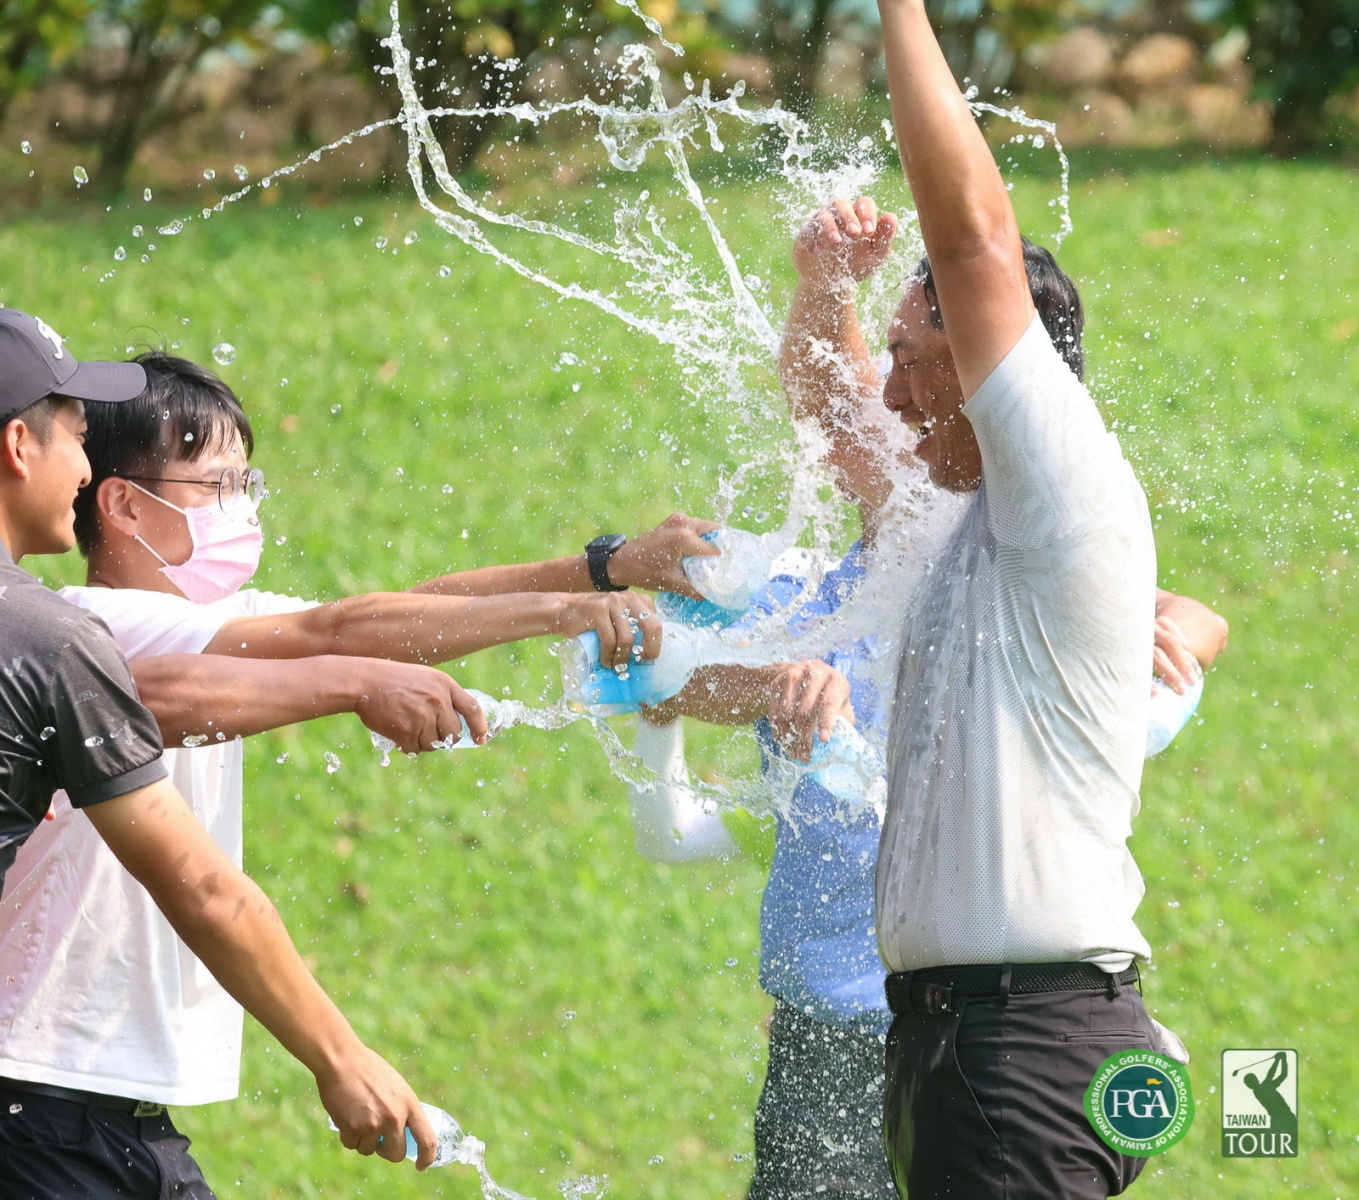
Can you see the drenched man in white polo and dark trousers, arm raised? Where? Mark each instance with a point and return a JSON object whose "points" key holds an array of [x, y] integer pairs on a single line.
{"points": [[1005, 888]]}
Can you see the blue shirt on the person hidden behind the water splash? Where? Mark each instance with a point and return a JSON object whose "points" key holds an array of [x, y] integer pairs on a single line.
{"points": [[819, 951]]}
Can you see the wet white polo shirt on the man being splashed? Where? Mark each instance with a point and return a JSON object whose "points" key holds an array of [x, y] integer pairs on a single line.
{"points": [[1021, 711]]}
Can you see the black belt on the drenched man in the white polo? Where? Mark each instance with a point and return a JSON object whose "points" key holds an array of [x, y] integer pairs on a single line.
{"points": [[932, 991]]}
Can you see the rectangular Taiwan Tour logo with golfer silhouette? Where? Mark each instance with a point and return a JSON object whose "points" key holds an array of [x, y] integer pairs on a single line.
{"points": [[1260, 1104]]}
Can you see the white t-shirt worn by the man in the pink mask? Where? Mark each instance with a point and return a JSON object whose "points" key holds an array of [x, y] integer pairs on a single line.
{"points": [[97, 991]]}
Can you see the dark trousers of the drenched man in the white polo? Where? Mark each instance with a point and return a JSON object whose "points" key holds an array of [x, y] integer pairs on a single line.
{"points": [[989, 1103]]}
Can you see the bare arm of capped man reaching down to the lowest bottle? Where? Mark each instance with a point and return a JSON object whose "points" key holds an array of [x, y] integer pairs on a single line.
{"points": [[232, 926]]}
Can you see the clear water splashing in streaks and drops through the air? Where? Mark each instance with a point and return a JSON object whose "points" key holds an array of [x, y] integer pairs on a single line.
{"points": [[692, 296]]}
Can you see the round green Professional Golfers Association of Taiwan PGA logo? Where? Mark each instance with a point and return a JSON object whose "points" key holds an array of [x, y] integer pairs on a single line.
{"points": [[1140, 1103]]}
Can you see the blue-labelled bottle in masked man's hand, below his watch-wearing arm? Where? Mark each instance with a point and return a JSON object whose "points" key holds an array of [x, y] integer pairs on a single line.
{"points": [[608, 692]]}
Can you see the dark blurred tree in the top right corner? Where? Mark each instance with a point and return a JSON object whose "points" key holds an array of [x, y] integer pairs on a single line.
{"points": [[1304, 52]]}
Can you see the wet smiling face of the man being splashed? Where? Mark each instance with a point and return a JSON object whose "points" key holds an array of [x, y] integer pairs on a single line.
{"points": [[923, 391]]}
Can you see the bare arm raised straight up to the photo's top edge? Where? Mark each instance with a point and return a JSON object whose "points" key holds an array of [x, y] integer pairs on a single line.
{"points": [[966, 217]]}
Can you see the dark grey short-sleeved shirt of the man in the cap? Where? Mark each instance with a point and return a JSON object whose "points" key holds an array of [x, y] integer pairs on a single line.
{"points": [[70, 716]]}
